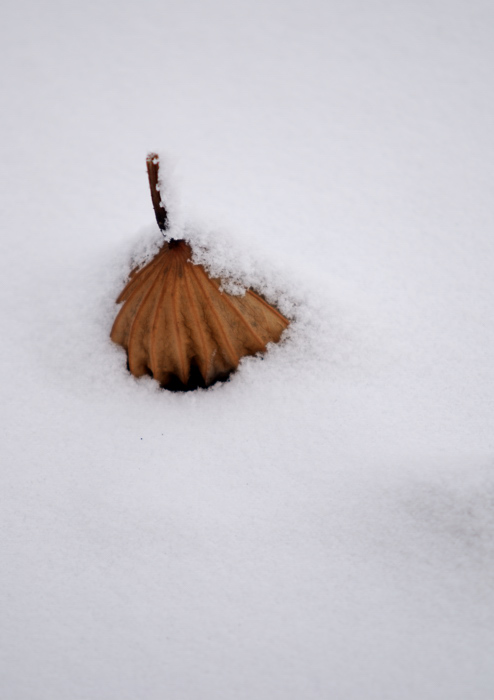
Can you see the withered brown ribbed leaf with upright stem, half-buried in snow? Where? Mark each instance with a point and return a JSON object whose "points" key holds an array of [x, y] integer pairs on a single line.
{"points": [[178, 325]]}
